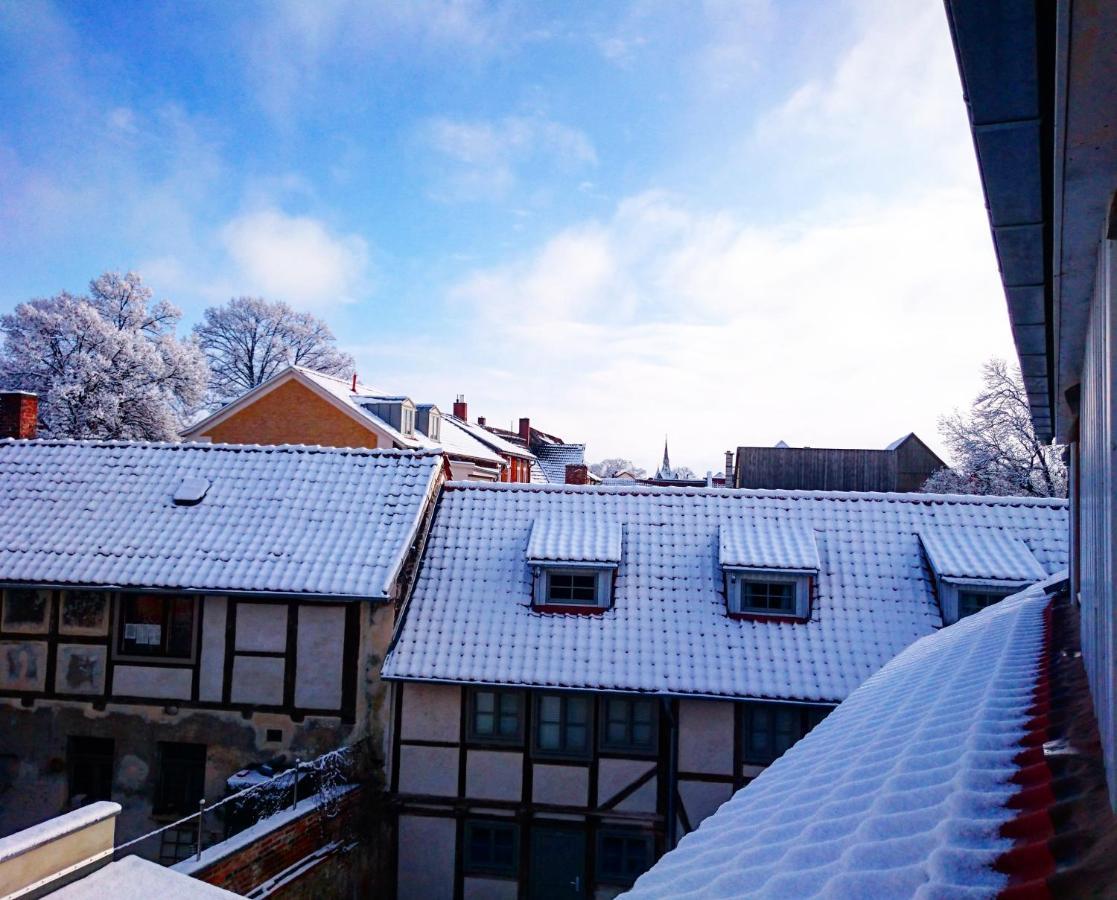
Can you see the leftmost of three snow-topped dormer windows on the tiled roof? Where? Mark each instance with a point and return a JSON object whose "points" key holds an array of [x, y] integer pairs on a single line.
{"points": [[574, 562]]}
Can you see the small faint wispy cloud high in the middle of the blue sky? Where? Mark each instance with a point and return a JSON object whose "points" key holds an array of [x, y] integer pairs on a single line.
{"points": [[482, 160]]}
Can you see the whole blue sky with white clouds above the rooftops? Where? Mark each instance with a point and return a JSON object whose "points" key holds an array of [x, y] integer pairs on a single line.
{"points": [[732, 223]]}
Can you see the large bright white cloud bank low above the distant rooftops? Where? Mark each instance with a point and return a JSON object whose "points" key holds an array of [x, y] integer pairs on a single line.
{"points": [[851, 332]]}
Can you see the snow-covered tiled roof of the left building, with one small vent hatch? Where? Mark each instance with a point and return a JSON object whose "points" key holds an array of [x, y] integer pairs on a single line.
{"points": [[274, 520]]}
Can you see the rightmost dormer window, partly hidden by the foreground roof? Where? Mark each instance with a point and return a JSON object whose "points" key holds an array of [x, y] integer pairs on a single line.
{"points": [[976, 568]]}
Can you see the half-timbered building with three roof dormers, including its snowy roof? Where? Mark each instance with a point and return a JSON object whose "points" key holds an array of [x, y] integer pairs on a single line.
{"points": [[581, 676]]}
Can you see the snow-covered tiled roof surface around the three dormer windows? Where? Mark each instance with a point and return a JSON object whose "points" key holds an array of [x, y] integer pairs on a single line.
{"points": [[471, 619]]}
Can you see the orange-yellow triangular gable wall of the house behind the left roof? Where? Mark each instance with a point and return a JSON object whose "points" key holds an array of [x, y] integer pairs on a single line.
{"points": [[292, 414]]}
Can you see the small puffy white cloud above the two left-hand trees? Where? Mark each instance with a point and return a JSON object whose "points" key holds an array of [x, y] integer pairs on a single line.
{"points": [[295, 258]]}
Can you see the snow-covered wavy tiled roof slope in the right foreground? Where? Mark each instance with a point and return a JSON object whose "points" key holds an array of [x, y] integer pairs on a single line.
{"points": [[901, 792]]}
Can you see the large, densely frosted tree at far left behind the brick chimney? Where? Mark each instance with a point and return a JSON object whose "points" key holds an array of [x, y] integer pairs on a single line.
{"points": [[106, 366]]}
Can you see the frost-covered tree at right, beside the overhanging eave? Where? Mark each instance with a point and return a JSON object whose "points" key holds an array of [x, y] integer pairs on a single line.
{"points": [[995, 446]]}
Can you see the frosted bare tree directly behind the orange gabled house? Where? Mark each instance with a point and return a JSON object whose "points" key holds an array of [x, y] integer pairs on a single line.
{"points": [[250, 339]]}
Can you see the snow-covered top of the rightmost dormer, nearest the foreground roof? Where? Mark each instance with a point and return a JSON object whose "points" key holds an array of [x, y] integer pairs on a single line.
{"points": [[980, 553]]}
